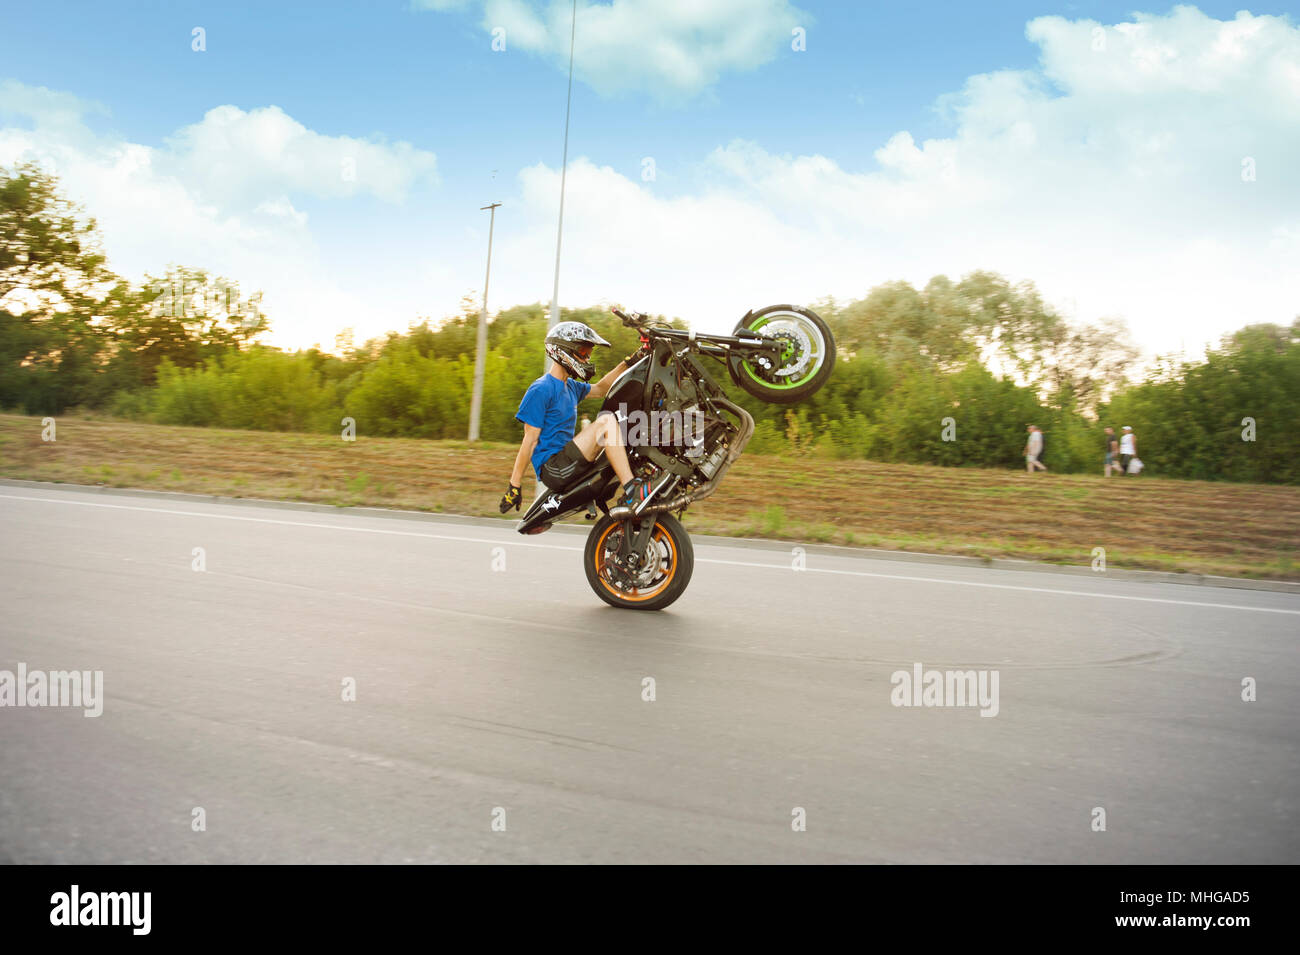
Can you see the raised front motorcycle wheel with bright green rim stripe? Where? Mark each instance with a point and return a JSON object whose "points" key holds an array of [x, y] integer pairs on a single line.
{"points": [[807, 358]]}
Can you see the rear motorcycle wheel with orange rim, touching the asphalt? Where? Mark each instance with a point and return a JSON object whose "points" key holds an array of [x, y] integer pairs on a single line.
{"points": [[658, 578]]}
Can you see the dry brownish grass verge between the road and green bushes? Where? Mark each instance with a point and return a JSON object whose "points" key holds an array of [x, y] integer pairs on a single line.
{"points": [[1241, 531]]}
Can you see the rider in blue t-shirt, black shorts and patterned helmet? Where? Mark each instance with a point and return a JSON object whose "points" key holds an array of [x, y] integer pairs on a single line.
{"points": [[549, 413]]}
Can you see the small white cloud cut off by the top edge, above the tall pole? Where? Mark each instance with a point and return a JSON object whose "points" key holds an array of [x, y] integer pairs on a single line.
{"points": [[670, 49]]}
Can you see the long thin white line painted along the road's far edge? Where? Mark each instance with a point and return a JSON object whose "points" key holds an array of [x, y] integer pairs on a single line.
{"points": [[700, 561]]}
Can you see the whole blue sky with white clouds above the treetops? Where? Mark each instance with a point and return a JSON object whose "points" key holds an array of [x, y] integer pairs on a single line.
{"points": [[761, 151]]}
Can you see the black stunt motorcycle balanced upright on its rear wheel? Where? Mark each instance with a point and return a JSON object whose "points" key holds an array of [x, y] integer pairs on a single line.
{"points": [[682, 433]]}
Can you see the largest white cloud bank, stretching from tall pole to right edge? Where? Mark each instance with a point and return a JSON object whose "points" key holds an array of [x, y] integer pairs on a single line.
{"points": [[1112, 179]]}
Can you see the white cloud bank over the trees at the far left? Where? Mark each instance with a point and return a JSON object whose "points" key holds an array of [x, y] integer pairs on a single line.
{"points": [[219, 196]]}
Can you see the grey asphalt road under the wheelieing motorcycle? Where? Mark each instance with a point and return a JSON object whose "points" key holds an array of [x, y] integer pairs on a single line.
{"points": [[515, 694]]}
